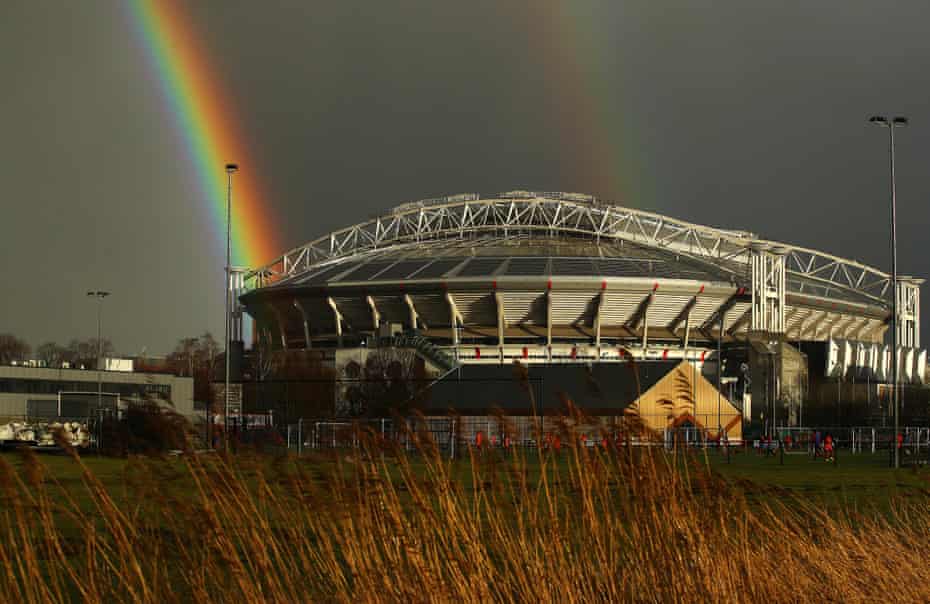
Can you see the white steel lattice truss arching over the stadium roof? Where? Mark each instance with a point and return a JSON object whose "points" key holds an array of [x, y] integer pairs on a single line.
{"points": [[520, 212]]}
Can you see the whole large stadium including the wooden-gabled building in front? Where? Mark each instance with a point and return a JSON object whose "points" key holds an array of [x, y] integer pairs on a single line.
{"points": [[719, 329]]}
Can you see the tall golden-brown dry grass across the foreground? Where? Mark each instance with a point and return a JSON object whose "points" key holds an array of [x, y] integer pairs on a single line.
{"points": [[626, 525]]}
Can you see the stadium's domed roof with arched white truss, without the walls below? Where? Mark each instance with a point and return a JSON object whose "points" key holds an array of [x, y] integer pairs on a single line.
{"points": [[423, 239]]}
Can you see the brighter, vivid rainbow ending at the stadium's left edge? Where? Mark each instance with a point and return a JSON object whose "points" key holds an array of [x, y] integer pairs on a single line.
{"points": [[204, 119]]}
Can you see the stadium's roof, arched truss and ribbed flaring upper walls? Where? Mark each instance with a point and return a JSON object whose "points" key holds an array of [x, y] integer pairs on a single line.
{"points": [[540, 267]]}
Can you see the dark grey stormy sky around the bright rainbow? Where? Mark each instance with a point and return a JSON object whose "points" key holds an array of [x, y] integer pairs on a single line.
{"points": [[748, 115]]}
